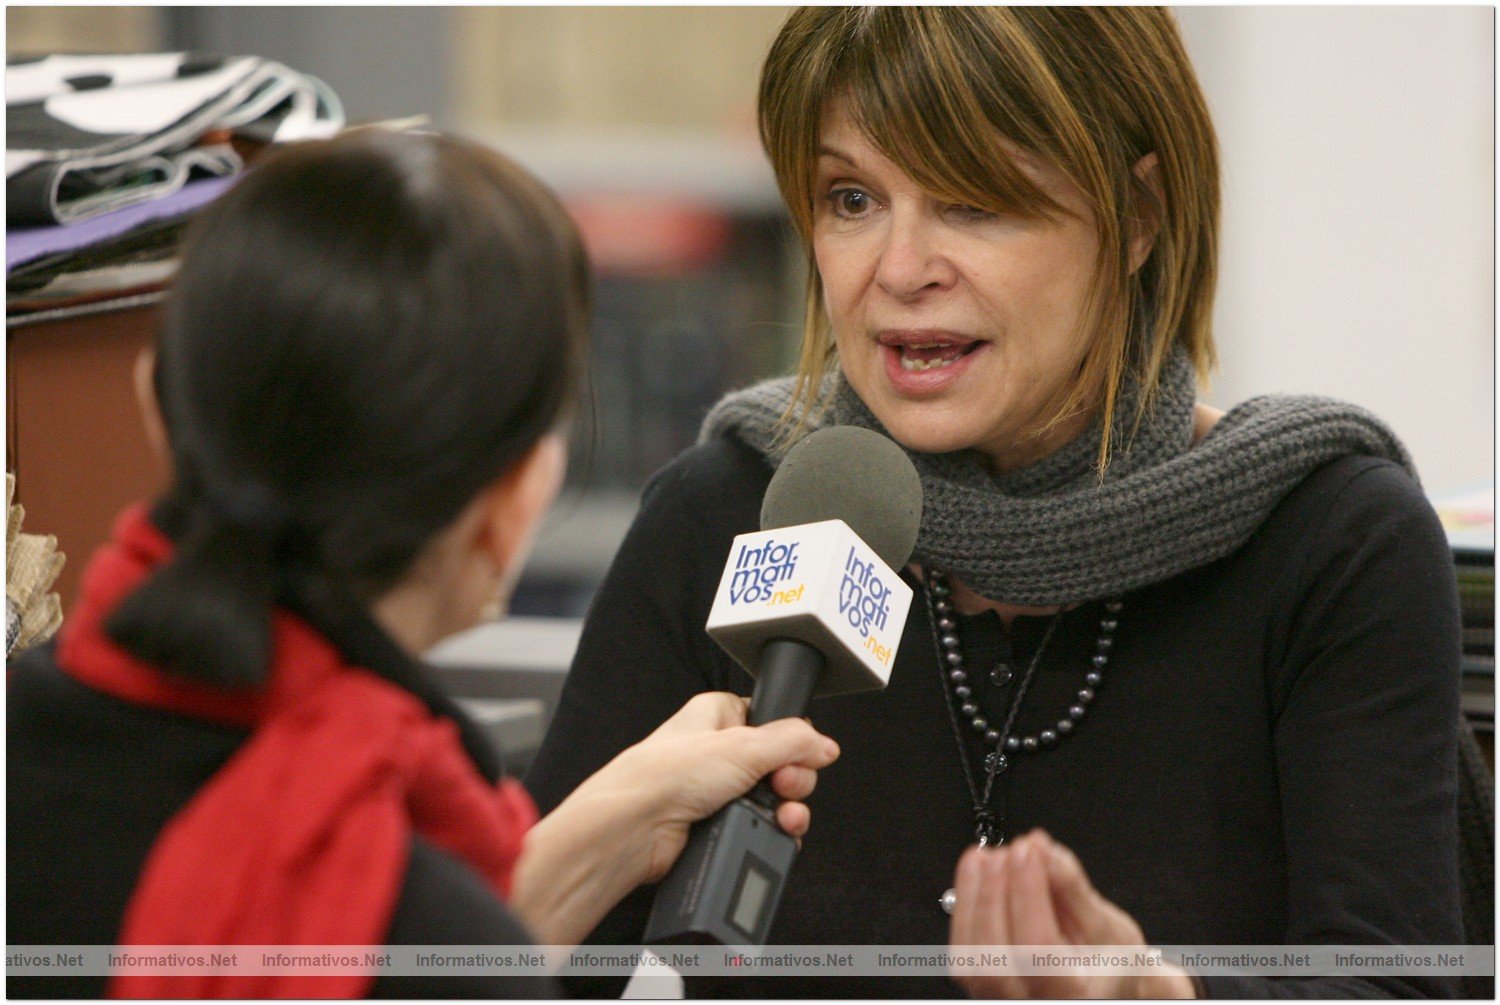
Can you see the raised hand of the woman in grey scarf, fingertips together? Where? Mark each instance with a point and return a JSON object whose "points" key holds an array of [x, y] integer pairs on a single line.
{"points": [[1034, 892]]}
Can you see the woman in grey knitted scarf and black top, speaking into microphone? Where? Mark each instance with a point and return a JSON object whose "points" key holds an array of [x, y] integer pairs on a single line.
{"points": [[1184, 677]]}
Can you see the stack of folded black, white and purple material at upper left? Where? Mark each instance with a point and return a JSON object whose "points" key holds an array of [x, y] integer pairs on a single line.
{"points": [[109, 157]]}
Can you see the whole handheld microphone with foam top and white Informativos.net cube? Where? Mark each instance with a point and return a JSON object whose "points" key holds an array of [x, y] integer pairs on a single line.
{"points": [[811, 605]]}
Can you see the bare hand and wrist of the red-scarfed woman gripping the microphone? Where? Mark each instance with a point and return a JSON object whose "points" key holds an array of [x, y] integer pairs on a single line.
{"points": [[628, 823]]}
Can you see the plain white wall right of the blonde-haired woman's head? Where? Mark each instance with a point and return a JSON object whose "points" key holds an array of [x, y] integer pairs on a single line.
{"points": [[1358, 254]]}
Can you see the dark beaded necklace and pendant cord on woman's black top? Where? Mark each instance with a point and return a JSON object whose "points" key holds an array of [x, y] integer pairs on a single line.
{"points": [[989, 826]]}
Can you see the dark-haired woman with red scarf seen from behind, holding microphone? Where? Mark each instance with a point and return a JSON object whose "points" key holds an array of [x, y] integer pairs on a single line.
{"points": [[367, 355]]}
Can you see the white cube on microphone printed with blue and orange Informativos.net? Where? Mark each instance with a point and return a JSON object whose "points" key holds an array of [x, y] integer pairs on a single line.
{"points": [[818, 584]]}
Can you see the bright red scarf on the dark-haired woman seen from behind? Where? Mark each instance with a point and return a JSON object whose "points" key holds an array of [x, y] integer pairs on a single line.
{"points": [[302, 836]]}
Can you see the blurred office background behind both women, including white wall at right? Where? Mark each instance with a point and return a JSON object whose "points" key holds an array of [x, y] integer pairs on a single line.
{"points": [[1358, 253]]}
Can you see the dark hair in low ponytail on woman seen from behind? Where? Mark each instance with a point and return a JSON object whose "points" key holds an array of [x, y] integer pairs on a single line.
{"points": [[365, 334]]}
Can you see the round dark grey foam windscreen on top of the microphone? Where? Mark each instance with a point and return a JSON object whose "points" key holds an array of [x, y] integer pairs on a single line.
{"points": [[851, 475]]}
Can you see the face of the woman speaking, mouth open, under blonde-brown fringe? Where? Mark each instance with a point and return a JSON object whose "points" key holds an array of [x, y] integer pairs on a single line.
{"points": [[955, 326]]}
